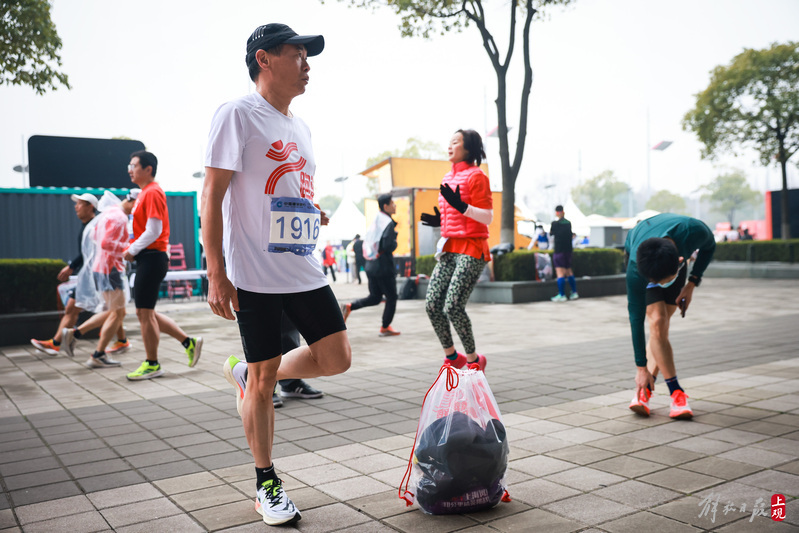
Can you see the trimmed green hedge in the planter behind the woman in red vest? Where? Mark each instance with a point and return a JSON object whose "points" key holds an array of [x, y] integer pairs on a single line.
{"points": [[520, 265]]}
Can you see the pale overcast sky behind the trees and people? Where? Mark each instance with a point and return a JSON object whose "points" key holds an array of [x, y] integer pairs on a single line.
{"points": [[157, 70]]}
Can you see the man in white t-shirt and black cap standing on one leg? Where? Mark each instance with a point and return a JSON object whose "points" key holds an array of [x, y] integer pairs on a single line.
{"points": [[257, 200]]}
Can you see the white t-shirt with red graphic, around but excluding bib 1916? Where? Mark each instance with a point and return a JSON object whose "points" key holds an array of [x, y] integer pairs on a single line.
{"points": [[270, 155]]}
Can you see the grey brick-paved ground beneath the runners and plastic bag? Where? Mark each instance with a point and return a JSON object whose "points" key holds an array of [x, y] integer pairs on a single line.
{"points": [[86, 450]]}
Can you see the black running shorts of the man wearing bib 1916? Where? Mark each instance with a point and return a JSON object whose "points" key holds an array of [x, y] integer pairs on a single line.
{"points": [[316, 314]]}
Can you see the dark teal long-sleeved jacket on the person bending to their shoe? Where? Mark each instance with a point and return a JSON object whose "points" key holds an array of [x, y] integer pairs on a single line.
{"points": [[689, 234]]}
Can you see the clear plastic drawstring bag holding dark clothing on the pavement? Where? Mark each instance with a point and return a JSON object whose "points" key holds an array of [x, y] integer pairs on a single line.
{"points": [[460, 454]]}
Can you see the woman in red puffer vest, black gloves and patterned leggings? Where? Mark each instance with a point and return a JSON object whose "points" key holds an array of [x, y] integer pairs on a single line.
{"points": [[466, 210]]}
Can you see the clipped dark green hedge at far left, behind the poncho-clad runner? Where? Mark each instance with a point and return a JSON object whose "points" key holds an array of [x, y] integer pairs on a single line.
{"points": [[29, 285]]}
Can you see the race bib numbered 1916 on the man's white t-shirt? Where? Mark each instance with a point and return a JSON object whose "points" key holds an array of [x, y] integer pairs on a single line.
{"points": [[293, 226]]}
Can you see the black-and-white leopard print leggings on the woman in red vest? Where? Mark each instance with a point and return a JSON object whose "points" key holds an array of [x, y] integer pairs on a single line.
{"points": [[449, 289]]}
